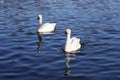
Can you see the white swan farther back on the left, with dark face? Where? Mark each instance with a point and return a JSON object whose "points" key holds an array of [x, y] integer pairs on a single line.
{"points": [[46, 27]]}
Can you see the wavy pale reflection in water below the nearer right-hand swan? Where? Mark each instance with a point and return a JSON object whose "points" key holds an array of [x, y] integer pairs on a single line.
{"points": [[69, 57]]}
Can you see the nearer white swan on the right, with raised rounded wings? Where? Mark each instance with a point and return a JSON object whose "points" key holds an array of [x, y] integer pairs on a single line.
{"points": [[72, 44]]}
